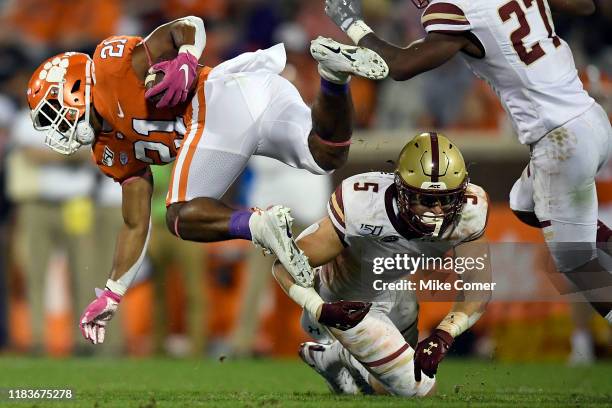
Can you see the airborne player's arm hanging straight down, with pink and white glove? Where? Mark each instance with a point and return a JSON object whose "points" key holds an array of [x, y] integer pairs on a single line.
{"points": [[130, 249]]}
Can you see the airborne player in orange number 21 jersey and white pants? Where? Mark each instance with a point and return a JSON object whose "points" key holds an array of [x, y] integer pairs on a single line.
{"points": [[208, 122]]}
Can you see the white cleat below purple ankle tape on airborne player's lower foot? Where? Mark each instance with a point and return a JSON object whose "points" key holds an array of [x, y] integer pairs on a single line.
{"points": [[271, 230]]}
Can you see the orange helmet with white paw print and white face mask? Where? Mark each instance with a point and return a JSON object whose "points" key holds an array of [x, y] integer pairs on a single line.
{"points": [[59, 96]]}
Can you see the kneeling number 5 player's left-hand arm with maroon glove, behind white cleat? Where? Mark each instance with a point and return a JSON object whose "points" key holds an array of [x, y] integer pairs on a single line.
{"points": [[321, 244]]}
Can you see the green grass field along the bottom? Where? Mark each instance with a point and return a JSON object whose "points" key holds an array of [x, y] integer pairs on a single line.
{"points": [[152, 383]]}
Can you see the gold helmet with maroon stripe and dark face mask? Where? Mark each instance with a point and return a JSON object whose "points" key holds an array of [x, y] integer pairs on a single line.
{"points": [[430, 180]]}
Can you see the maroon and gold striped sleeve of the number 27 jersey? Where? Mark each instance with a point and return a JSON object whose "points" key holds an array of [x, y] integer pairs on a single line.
{"points": [[442, 17]]}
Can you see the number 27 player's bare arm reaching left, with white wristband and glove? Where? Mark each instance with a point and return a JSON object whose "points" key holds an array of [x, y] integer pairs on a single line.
{"points": [[404, 63]]}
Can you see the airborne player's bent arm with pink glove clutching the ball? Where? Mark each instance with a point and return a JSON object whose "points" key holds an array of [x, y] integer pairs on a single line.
{"points": [[185, 38]]}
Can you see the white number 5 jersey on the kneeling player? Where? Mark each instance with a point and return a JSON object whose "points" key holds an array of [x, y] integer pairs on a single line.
{"points": [[364, 212]]}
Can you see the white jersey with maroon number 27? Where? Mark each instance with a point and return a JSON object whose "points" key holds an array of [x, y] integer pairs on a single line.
{"points": [[530, 68]]}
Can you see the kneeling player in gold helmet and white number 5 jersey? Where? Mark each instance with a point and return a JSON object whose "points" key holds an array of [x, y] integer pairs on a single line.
{"points": [[427, 207]]}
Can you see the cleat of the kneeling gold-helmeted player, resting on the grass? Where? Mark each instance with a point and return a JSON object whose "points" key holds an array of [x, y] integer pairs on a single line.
{"points": [[339, 380]]}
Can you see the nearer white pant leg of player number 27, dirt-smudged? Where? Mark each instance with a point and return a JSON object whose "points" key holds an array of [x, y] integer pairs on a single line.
{"points": [[564, 164]]}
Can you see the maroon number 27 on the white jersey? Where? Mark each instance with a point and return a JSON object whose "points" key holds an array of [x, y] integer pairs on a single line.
{"points": [[513, 10]]}
